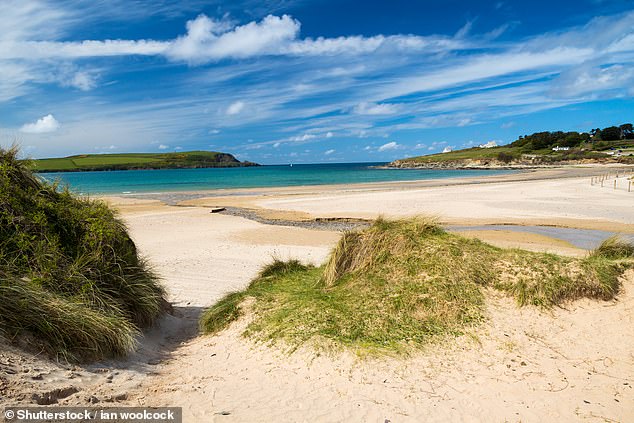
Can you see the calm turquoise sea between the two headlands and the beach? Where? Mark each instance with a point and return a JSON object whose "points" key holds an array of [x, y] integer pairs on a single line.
{"points": [[168, 180]]}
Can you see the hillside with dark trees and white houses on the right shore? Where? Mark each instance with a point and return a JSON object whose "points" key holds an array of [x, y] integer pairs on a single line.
{"points": [[541, 149]]}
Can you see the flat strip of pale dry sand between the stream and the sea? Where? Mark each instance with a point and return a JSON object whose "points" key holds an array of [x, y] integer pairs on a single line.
{"points": [[566, 202]]}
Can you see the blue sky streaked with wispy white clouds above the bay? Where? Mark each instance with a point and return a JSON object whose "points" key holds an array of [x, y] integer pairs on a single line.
{"points": [[308, 81]]}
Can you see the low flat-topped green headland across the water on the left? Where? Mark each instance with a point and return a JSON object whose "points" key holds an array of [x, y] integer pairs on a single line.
{"points": [[130, 161]]}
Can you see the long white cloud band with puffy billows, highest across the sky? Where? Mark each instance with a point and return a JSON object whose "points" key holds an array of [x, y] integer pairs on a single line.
{"points": [[209, 39]]}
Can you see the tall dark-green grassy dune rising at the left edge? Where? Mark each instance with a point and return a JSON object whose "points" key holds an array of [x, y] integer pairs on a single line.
{"points": [[70, 275]]}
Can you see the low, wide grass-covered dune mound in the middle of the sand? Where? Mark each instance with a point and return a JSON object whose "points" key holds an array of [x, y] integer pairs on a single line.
{"points": [[402, 284]]}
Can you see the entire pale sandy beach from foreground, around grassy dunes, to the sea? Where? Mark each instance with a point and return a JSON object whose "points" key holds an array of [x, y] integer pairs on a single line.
{"points": [[573, 363]]}
